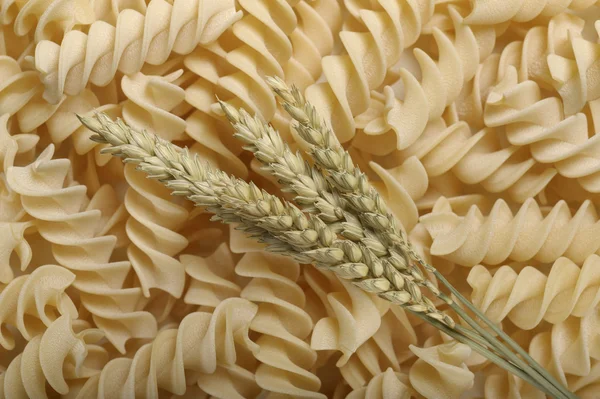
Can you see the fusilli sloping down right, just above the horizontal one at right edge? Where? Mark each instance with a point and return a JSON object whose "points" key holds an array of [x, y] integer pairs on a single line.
{"points": [[480, 158]]}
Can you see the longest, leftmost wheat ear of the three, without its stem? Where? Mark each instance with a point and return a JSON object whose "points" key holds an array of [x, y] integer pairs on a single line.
{"points": [[280, 224]]}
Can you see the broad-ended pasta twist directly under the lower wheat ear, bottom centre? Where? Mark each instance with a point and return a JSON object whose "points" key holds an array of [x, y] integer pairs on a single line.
{"points": [[352, 315]]}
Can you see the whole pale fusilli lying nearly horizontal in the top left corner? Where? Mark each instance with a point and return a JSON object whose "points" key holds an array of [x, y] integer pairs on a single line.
{"points": [[136, 39]]}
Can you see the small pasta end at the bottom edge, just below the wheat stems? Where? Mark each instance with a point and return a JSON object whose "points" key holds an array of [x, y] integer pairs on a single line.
{"points": [[441, 372]]}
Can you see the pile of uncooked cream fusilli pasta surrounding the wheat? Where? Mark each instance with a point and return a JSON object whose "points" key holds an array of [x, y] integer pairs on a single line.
{"points": [[475, 120]]}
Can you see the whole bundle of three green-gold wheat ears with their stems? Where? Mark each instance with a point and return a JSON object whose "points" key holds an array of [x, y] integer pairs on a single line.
{"points": [[337, 221]]}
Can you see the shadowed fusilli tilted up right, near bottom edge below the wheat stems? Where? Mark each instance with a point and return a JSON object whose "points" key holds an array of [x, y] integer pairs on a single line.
{"points": [[386, 350]]}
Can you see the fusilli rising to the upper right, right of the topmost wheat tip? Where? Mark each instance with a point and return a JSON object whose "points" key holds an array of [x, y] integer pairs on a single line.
{"points": [[441, 83]]}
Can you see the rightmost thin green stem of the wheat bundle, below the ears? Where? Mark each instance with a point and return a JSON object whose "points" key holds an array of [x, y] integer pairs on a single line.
{"points": [[534, 364]]}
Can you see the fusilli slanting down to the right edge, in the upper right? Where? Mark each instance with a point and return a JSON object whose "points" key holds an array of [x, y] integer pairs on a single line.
{"points": [[541, 123]]}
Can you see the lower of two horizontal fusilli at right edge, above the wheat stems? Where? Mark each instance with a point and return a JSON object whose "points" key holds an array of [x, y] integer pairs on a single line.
{"points": [[528, 297]]}
